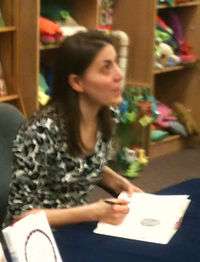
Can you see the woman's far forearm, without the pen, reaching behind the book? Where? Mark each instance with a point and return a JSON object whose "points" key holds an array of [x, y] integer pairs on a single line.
{"points": [[117, 183]]}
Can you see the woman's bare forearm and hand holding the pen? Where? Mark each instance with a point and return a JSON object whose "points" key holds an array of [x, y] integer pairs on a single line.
{"points": [[98, 211]]}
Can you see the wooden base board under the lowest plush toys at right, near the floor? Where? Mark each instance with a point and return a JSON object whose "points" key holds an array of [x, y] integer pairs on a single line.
{"points": [[166, 146]]}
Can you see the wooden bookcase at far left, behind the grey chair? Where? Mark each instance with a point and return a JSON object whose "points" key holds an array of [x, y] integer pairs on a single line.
{"points": [[18, 53]]}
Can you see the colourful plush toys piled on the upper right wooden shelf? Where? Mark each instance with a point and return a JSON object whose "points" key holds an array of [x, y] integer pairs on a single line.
{"points": [[171, 47]]}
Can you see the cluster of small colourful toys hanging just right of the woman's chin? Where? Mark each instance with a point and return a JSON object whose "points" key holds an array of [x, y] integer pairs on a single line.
{"points": [[133, 117]]}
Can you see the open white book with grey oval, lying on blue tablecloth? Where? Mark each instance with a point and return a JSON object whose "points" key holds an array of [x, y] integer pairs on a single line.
{"points": [[151, 218]]}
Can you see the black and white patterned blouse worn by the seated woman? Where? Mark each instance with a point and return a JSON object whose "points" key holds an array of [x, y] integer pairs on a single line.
{"points": [[45, 175]]}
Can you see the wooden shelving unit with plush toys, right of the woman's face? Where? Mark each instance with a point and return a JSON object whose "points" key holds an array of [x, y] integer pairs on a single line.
{"points": [[179, 83]]}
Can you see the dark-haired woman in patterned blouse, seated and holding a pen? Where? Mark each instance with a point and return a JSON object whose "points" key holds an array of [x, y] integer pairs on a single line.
{"points": [[61, 153]]}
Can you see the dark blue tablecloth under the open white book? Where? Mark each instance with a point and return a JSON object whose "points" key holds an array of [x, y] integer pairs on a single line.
{"points": [[78, 243]]}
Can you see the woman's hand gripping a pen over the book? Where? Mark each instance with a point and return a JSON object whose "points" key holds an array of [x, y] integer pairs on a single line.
{"points": [[111, 213]]}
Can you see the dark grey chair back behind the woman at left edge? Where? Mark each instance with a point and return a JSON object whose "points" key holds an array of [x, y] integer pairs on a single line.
{"points": [[10, 120]]}
